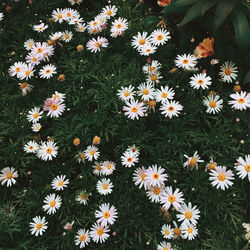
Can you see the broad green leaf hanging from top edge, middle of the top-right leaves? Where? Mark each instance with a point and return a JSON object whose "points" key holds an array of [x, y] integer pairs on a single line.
{"points": [[223, 9]]}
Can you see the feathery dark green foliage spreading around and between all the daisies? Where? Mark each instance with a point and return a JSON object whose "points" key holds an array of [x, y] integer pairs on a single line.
{"points": [[91, 85]]}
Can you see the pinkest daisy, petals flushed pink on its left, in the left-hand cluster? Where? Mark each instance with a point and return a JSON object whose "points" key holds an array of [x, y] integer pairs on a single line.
{"points": [[55, 107]]}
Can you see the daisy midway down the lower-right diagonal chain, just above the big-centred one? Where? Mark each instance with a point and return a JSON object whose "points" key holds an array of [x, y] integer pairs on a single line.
{"points": [[169, 198]]}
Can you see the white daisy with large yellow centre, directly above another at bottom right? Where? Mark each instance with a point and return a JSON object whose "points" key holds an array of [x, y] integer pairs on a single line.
{"points": [[188, 214]]}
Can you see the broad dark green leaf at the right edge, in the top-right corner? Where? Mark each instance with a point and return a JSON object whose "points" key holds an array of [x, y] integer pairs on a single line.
{"points": [[241, 31]]}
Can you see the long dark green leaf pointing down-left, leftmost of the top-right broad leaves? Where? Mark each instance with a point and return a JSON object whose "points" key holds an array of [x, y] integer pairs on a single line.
{"points": [[200, 8]]}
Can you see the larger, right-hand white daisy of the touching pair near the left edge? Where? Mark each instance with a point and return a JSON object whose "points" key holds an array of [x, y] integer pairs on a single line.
{"points": [[47, 151]]}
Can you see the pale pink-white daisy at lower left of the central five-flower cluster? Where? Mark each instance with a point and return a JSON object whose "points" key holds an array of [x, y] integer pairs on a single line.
{"points": [[134, 109]]}
